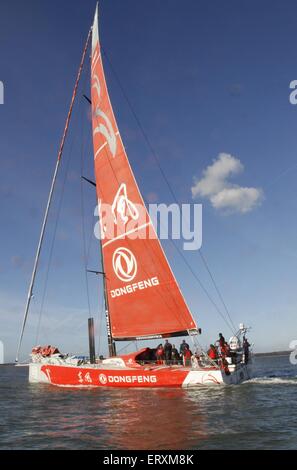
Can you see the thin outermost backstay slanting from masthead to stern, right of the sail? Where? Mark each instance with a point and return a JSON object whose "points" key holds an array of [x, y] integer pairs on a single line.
{"points": [[156, 159]]}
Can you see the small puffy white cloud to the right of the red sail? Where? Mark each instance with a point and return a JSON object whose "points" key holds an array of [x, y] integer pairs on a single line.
{"points": [[223, 195]]}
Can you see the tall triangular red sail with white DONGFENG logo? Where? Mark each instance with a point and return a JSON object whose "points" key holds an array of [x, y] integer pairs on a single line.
{"points": [[143, 295]]}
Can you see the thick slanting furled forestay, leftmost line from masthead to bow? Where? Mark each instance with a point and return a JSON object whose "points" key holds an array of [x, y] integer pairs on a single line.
{"points": [[45, 218]]}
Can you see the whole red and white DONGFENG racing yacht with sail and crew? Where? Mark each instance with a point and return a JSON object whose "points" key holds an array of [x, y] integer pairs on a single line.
{"points": [[143, 300]]}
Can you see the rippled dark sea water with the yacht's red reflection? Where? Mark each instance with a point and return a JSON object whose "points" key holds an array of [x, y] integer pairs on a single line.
{"points": [[259, 414]]}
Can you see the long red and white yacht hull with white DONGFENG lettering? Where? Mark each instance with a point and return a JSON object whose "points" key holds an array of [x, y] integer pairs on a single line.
{"points": [[153, 377]]}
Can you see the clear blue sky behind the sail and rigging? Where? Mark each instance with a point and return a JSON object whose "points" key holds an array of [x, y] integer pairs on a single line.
{"points": [[204, 78]]}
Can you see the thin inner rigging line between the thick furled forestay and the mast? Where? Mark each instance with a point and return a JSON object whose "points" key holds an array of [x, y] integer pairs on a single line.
{"points": [[69, 157]]}
